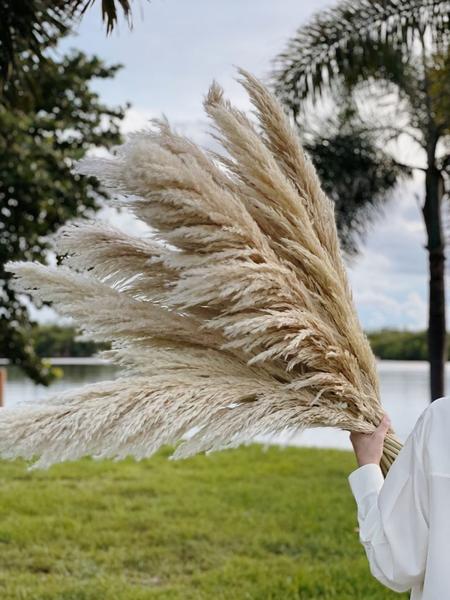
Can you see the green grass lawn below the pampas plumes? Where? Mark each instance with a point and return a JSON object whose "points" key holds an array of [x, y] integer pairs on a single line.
{"points": [[243, 524]]}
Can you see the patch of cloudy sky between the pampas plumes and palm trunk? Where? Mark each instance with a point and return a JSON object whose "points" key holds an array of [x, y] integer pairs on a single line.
{"points": [[390, 277]]}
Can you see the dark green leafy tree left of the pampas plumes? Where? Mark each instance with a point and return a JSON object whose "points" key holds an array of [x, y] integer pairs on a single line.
{"points": [[53, 122]]}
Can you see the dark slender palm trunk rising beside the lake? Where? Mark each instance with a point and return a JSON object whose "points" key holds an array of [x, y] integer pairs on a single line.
{"points": [[437, 342]]}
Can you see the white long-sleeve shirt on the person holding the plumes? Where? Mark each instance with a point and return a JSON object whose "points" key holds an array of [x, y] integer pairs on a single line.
{"points": [[404, 520]]}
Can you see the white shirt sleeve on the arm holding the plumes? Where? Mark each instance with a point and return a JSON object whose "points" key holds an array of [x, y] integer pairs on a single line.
{"points": [[392, 516]]}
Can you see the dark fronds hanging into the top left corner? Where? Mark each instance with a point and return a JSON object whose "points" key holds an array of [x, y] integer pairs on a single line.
{"points": [[32, 24]]}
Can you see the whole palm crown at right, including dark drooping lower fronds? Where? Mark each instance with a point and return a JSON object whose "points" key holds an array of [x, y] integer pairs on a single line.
{"points": [[391, 54]]}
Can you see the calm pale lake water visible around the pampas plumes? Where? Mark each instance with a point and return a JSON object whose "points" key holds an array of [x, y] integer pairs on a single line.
{"points": [[404, 393]]}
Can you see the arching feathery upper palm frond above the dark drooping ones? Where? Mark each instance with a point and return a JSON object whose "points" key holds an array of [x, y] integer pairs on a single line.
{"points": [[357, 38]]}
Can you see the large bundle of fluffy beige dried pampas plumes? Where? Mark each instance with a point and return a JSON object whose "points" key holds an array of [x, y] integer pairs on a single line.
{"points": [[234, 318]]}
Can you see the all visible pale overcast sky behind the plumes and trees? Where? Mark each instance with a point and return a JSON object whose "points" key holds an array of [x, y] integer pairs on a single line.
{"points": [[174, 51]]}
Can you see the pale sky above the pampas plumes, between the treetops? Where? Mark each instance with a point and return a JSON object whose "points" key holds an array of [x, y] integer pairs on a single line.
{"points": [[176, 49]]}
